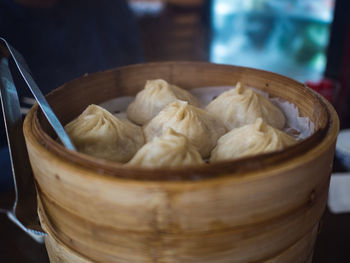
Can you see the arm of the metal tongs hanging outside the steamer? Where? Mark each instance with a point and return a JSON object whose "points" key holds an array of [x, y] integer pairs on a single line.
{"points": [[23, 212]]}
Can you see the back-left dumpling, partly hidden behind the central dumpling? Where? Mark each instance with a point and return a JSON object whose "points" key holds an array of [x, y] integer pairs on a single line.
{"points": [[153, 98]]}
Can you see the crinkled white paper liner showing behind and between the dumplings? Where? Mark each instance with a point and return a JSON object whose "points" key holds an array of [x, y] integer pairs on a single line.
{"points": [[297, 126]]}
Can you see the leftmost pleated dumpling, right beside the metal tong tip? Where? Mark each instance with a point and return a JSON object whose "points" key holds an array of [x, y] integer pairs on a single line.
{"points": [[98, 133]]}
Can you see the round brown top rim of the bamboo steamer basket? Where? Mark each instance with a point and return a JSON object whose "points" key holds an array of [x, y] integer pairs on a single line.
{"points": [[189, 173]]}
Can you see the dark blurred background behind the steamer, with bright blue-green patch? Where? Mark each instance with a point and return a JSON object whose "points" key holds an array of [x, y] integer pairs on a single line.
{"points": [[307, 40]]}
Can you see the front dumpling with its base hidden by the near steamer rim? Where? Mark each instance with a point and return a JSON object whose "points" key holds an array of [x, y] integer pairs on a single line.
{"points": [[169, 150]]}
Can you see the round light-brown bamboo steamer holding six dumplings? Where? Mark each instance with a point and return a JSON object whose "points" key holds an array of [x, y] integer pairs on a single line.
{"points": [[257, 209]]}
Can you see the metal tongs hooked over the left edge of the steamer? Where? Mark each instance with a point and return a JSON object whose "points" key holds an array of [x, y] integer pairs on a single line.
{"points": [[23, 211]]}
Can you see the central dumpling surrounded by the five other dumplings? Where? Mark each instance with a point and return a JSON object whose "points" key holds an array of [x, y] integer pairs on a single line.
{"points": [[200, 127]]}
